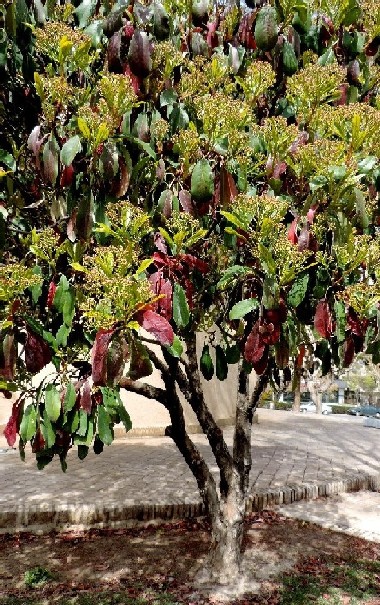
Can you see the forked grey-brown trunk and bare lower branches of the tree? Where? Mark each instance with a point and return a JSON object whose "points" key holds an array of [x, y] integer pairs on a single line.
{"points": [[226, 509]]}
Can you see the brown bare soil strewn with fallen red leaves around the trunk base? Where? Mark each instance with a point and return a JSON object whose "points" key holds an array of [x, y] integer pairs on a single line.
{"points": [[164, 558]]}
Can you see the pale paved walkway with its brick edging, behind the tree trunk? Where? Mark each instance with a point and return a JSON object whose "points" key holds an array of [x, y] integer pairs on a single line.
{"points": [[295, 456]]}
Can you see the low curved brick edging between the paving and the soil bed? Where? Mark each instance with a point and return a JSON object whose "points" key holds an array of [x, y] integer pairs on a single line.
{"points": [[45, 518]]}
